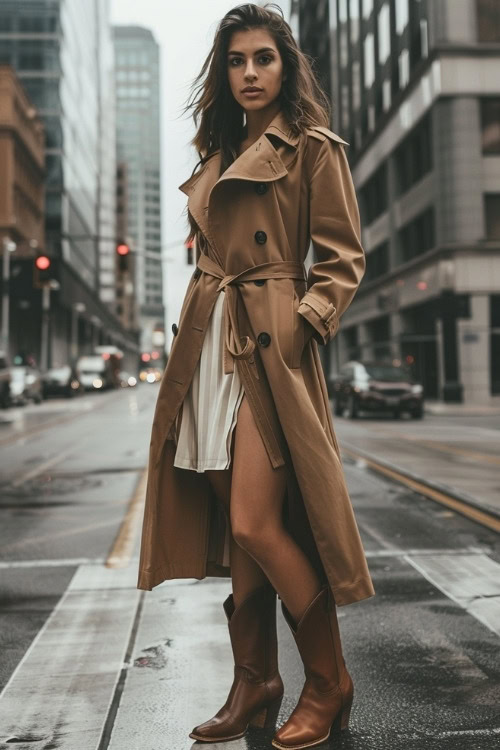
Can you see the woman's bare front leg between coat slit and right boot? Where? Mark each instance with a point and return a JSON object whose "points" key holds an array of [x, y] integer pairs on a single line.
{"points": [[257, 493]]}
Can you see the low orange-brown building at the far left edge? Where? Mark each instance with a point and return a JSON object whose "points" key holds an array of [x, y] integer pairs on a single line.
{"points": [[21, 212]]}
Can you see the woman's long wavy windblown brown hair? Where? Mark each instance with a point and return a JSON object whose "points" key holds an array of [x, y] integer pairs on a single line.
{"points": [[219, 118]]}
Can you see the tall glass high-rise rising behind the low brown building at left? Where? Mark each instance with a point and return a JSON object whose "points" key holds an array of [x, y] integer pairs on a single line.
{"points": [[62, 52]]}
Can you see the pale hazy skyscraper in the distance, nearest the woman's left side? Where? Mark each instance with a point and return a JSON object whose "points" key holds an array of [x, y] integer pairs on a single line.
{"points": [[138, 146]]}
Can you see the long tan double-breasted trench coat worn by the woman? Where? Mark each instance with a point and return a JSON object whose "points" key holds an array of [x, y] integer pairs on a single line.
{"points": [[255, 226]]}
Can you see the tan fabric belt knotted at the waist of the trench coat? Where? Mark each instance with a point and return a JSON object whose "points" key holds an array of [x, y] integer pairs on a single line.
{"points": [[281, 269]]}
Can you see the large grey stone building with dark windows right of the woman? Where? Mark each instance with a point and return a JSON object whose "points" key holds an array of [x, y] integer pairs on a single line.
{"points": [[416, 92]]}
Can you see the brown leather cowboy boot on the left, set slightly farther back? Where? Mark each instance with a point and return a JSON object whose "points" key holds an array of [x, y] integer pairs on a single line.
{"points": [[257, 690]]}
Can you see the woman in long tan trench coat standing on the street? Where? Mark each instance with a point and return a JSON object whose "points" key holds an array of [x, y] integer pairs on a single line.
{"points": [[245, 478]]}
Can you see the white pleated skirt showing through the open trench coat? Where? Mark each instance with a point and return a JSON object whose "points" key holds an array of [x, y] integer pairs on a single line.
{"points": [[210, 407]]}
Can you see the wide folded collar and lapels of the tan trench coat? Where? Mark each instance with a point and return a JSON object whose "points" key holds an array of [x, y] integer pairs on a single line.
{"points": [[260, 162]]}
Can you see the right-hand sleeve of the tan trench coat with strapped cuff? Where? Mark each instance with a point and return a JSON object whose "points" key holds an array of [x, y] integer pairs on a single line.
{"points": [[336, 238]]}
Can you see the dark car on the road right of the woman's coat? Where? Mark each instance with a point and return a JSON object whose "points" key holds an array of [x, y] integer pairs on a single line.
{"points": [[372, 386]]}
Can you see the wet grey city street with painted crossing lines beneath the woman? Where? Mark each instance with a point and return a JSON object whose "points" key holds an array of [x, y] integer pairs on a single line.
{"points": [[89, 662]]}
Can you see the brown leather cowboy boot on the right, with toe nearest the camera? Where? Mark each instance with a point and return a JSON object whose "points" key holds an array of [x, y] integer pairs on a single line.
{"points": [[326, 698]]}
